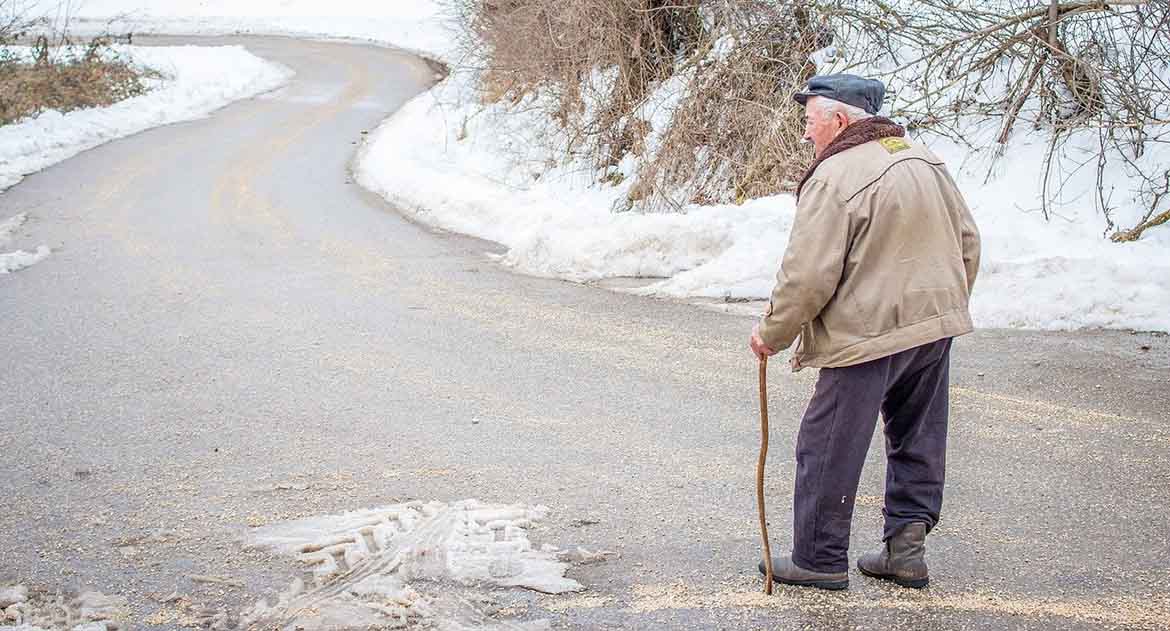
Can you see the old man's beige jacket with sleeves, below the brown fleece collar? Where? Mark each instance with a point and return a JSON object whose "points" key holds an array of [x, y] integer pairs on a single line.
{"points": [[883, 258]]}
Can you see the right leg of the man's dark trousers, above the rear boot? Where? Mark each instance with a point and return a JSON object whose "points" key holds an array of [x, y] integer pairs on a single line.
{"points": [[916, 416]]}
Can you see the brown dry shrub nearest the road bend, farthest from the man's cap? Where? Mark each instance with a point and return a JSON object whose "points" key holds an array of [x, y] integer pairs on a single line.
{"points": [[558, 47]]}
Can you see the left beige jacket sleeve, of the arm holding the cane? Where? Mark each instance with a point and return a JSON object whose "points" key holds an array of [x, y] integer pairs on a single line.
{"points": [[813, 266]]}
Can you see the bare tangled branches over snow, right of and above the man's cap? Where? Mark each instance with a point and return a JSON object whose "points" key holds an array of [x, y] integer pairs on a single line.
{"points": [[1065, 67]]}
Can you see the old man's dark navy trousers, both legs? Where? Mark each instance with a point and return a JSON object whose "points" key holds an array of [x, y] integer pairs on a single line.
{"points": [[910, 389]]}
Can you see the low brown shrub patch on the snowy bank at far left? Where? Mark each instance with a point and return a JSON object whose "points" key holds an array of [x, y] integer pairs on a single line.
{"points": [[92, 80]]}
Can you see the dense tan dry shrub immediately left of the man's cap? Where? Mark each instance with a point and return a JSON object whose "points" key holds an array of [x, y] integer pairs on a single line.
{"points": [[737, 134]]}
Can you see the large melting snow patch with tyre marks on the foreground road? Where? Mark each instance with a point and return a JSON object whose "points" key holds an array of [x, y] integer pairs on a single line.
{"points": [[401, 567]]}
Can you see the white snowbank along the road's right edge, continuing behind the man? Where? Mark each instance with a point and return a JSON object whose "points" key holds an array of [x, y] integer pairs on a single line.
{"points": [[452, 163]]}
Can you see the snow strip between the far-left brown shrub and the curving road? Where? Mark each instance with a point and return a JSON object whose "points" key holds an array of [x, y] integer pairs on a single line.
{"points": [[196, 81]]}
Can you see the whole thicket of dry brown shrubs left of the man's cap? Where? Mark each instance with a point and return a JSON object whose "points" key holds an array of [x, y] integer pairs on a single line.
{"points": [[735, 133]]}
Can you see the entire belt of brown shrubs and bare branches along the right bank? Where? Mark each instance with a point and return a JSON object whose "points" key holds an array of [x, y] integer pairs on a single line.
{"points": [[1091, 78]]}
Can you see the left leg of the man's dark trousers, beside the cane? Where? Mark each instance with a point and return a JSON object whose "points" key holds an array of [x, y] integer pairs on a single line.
{"points": [[831, 450]]}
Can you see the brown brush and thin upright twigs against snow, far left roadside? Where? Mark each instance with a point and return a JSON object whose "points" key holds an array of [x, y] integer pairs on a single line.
{"points": [[43, 72]]}
